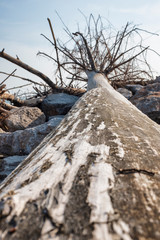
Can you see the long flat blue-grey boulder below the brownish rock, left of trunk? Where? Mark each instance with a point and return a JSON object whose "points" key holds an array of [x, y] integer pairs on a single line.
{"points": [[22, 142]]}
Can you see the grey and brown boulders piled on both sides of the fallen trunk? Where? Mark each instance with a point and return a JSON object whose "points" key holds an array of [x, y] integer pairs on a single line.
{"points": [[27, 126]]}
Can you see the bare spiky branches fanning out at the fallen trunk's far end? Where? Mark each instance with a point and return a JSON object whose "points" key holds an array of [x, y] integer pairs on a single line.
{"points": [[114, 53]]}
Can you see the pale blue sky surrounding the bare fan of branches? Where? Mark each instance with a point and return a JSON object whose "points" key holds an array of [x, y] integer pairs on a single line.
{"points": [[22, 22]]}
